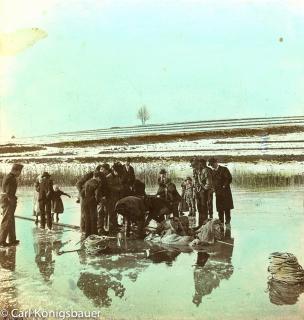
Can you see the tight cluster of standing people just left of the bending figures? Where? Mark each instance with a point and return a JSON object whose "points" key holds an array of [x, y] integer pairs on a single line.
{"points": [[99, 192]]}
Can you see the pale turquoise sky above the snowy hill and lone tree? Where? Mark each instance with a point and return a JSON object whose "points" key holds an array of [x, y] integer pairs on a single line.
{"points": [[94, 63]]}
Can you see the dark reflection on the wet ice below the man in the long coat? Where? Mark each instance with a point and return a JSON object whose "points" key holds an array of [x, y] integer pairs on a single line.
{"points": [[207, 276]]}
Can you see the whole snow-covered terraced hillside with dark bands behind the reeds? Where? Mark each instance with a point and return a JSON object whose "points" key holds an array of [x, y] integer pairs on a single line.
{"points": [[244, 152]]}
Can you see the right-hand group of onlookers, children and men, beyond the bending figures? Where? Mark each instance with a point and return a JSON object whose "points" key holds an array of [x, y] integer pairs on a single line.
{"points": [[198, 191]]}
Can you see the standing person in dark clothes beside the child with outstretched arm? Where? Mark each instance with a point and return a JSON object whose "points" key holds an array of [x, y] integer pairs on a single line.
{"points": [[45, 194]]}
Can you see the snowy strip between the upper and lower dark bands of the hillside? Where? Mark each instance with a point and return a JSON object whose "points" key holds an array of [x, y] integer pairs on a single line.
{"points": [[288, 144]]}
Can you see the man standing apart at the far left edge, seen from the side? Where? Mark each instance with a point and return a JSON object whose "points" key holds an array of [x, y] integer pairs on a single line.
{"points": [[9, 203]]}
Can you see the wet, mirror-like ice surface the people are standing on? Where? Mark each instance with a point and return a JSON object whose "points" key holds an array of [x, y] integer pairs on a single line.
{"points": [[228, 282]]}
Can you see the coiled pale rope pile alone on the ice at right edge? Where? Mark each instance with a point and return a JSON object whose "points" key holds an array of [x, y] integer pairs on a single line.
{"points": [[284, 267]]}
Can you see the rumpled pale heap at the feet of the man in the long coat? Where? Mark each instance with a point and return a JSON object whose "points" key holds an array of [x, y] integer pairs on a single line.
{"points": [[208, 233]]}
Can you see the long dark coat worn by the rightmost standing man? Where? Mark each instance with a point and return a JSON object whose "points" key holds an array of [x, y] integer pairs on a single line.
{"points": [[221, 180]]}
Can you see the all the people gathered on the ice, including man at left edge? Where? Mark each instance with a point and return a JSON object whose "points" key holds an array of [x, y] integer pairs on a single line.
{"points": [[112, 190]]}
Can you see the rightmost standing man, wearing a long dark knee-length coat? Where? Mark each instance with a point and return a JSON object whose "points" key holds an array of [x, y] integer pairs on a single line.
{"points": [[222, 179]]}
